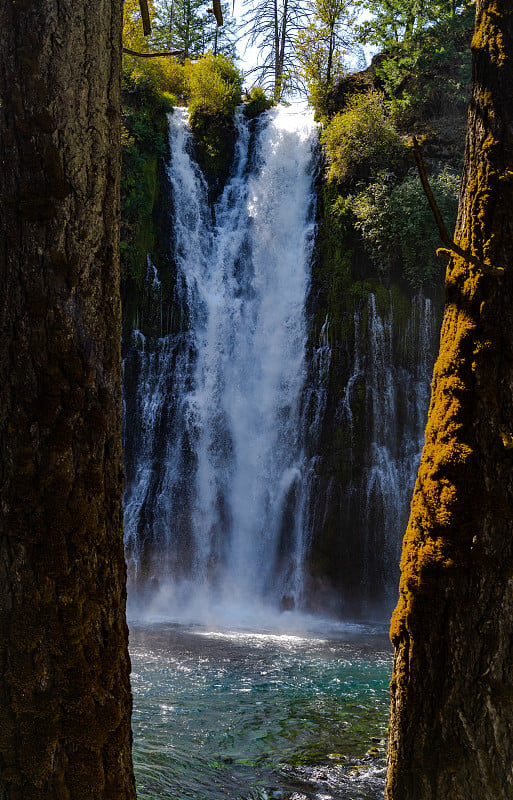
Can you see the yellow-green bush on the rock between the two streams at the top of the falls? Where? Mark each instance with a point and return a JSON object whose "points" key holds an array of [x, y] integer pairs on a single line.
{"points": [[214, 86]]}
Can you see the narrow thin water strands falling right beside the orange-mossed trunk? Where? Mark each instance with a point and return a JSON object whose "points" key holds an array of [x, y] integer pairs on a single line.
{"points": [[398, 395]]}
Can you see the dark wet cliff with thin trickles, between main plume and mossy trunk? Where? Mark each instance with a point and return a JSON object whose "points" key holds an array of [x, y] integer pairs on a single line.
{"points": [[370, 443]]}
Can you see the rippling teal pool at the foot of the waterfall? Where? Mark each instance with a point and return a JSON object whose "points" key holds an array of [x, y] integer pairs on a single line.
{"points": [[240, 715]]}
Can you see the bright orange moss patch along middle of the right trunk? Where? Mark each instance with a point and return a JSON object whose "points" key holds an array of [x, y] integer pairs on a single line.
{"points": [[432, 539]]}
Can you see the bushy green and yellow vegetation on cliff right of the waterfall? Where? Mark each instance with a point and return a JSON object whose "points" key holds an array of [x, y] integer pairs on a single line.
{"points": [[419, 86]]}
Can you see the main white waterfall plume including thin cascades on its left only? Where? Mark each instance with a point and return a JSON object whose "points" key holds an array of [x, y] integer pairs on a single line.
{"points": [[216, 464]]}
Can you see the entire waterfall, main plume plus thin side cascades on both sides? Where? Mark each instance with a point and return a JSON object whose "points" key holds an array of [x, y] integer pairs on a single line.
{"points": [[268, 464]]}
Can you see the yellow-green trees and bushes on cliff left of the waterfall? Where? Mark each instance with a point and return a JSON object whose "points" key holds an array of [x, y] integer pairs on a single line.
{"points": [[151, 88]]}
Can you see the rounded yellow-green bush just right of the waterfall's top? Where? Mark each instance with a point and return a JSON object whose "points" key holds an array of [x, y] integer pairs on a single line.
{"points": [[361, 140]]}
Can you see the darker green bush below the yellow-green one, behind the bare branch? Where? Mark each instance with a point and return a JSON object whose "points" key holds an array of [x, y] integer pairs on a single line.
{"points": [[397, 225]]}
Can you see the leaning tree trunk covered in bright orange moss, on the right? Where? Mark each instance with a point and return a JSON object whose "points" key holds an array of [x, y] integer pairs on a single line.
{"points": [[451, 727]]}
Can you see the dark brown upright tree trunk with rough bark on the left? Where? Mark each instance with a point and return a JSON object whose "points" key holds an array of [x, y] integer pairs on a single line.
{"points": [[64, 666]]}
